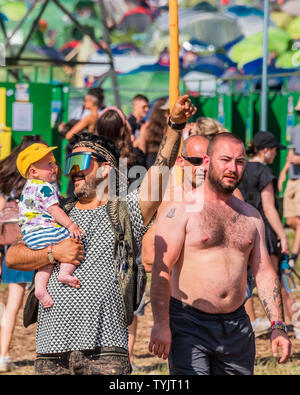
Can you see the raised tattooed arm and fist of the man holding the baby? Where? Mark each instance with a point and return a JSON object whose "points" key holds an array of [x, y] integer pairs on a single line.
{"points": [[156, 180]]}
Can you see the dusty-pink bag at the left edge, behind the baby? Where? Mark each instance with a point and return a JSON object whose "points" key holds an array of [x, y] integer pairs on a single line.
{"points": [[9, 219]]}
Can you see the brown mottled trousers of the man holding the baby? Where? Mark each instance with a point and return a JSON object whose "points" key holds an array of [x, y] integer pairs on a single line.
{"points": [[100, 361]]}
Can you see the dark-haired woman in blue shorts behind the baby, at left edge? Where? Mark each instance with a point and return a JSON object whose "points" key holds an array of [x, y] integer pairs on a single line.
{"points": [[11, 185]]}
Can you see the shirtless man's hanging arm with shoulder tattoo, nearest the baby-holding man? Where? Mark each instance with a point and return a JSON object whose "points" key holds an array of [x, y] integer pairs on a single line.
{"points": [[168, 246]]}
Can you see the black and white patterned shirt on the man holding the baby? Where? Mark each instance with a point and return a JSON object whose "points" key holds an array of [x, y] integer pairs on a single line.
{"points": [[82, 319]]}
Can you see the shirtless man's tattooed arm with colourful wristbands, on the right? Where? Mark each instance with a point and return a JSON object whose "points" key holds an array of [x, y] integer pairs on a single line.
{"points": [[269, 290]]}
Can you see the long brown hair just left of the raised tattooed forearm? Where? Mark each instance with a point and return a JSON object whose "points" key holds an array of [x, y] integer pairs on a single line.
{"points": [[157, 126]]}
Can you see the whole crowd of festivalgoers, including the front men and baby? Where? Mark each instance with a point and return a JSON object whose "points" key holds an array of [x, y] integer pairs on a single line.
{"points": [[220, 197]]}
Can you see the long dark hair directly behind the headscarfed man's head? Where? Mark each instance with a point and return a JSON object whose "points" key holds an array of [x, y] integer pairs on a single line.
{"points": [[111, 126]]}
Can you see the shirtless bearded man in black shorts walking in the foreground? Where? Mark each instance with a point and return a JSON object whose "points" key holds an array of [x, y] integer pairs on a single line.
{"points": [[200, 272]]}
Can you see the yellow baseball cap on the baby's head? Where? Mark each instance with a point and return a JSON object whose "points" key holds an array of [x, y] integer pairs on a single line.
{"points": [[30, 155]]}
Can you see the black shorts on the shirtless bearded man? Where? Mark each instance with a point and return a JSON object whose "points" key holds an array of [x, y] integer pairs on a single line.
{"points": [[210, 344]]}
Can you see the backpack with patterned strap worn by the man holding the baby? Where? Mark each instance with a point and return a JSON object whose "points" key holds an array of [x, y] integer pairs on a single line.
{"points": [[131, 276]]}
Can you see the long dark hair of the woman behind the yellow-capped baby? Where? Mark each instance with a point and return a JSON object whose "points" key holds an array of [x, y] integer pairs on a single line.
{"points": [[10, 178]]}
